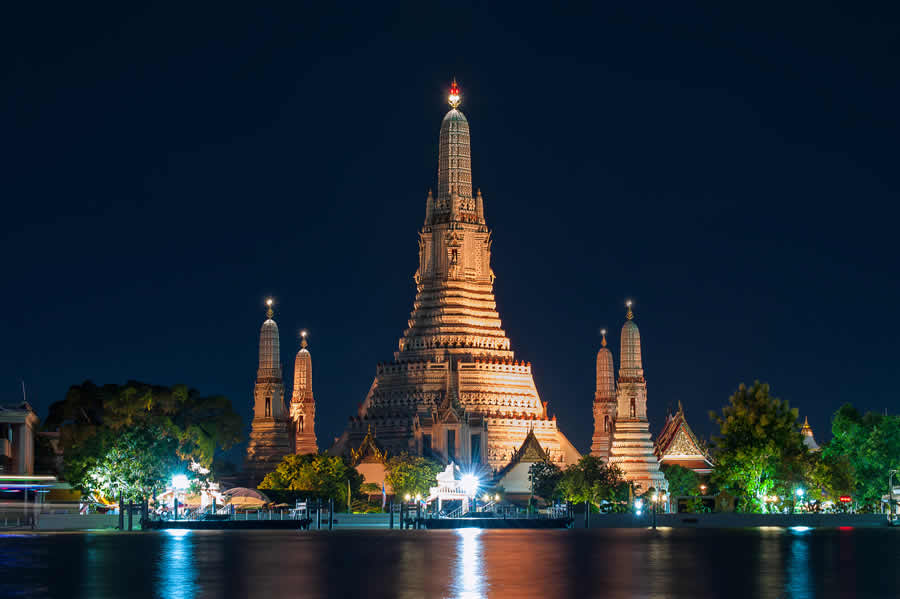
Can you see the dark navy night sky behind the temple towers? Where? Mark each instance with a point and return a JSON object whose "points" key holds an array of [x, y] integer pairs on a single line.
{"points": [[733, 170]]}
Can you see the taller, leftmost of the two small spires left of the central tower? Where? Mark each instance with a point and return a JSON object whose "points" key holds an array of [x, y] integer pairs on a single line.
{"points": [[269, 440]]}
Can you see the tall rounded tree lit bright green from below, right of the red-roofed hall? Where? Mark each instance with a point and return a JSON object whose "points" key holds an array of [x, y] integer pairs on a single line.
{"points": [[759, 447]]}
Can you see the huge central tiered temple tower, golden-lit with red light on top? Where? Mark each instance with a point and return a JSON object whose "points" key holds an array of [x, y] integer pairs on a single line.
{"points": [[454, 390]]}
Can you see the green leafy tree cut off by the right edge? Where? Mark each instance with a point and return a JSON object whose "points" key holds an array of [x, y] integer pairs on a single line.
{"points": [[870, 444]]}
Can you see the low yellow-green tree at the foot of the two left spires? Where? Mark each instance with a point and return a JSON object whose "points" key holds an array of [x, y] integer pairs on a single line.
{"points": [[323, 476]]}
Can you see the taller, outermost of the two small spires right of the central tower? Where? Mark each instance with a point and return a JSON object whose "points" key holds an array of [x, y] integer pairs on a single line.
{"points": [[632, 449]]}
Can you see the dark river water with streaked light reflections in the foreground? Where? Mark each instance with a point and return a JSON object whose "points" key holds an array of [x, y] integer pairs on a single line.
{"points": [[609, 563]]}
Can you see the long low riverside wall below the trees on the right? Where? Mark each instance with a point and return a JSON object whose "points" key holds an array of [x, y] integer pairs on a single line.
{"points": [[730, 520]]}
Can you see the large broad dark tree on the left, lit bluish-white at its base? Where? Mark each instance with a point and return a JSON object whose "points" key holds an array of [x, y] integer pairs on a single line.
{"points": [[156, 429]]}
